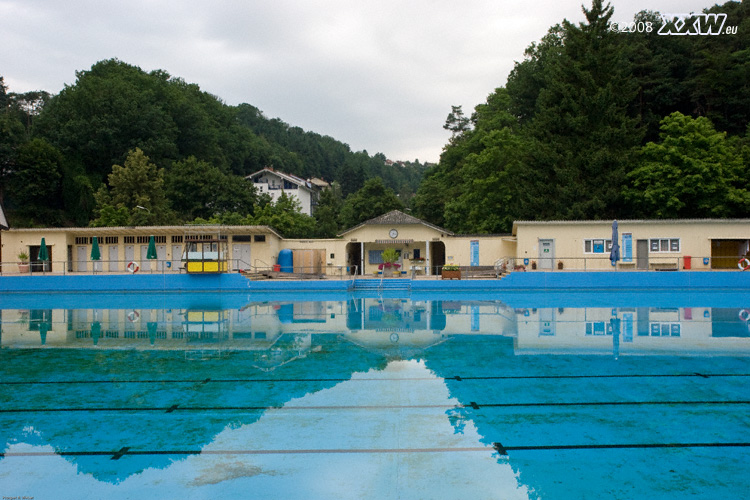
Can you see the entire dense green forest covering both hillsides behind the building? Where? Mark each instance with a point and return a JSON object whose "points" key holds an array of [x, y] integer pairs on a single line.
{"points": [[598, 121]]}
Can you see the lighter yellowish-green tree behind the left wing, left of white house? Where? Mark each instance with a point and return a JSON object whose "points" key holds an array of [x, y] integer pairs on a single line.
{"points": [[137, 188]]}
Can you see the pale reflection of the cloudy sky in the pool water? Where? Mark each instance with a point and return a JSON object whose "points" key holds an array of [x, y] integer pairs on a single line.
{"points": [[273, 456]]}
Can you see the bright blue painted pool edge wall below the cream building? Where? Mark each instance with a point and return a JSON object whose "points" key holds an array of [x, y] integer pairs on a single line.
{"points": [[516, 281]]}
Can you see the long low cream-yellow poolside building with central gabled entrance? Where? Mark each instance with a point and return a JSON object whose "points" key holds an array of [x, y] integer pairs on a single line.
{"points": [[424, 248]]}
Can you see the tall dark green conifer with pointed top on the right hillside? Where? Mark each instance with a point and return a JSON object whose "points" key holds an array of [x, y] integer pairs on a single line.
{"points": [[584, 130]]}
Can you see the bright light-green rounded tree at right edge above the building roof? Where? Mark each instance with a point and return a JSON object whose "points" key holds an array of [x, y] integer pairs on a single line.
{"points": [[692, 172]]}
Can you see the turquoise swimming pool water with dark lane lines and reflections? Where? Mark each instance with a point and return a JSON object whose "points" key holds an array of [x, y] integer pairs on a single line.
{"points": [[588, 395]]}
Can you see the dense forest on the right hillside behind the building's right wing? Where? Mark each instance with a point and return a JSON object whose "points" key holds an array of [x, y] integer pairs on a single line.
{"points": [[597, 123]]}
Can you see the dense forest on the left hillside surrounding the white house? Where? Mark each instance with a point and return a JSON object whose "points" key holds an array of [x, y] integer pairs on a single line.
{"points": [[120, 138]]}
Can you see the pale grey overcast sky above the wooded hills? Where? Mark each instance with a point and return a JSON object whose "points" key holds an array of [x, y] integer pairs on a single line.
{"points": [[379, 75]]}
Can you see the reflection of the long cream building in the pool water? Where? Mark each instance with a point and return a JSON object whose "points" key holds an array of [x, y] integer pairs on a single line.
{"points": [[394, 327]]}
